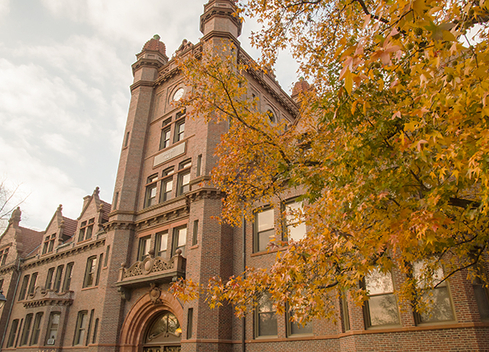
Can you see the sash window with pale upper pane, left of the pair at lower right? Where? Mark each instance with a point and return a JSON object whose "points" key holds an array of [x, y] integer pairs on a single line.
{"points": [[381, 307]]}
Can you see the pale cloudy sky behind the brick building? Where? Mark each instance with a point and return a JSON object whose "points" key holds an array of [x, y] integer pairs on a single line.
{"points": [[65, 72]]}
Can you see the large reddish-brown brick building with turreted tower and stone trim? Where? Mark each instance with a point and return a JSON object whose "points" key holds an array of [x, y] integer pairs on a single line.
{"points": [[100, 282]]}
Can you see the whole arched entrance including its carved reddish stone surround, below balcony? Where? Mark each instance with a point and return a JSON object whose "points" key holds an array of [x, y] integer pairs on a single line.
{"points": [[140, 330]]}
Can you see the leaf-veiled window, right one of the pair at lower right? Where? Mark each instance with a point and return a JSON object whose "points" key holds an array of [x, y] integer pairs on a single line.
{"points": [[438, 299]]}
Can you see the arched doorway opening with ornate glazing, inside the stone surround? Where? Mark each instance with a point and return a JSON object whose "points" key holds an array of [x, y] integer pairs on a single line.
{"points": [[164, 334]]}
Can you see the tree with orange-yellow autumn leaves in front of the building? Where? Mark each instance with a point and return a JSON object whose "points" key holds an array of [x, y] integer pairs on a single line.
{"points": [[391, 147]]}
